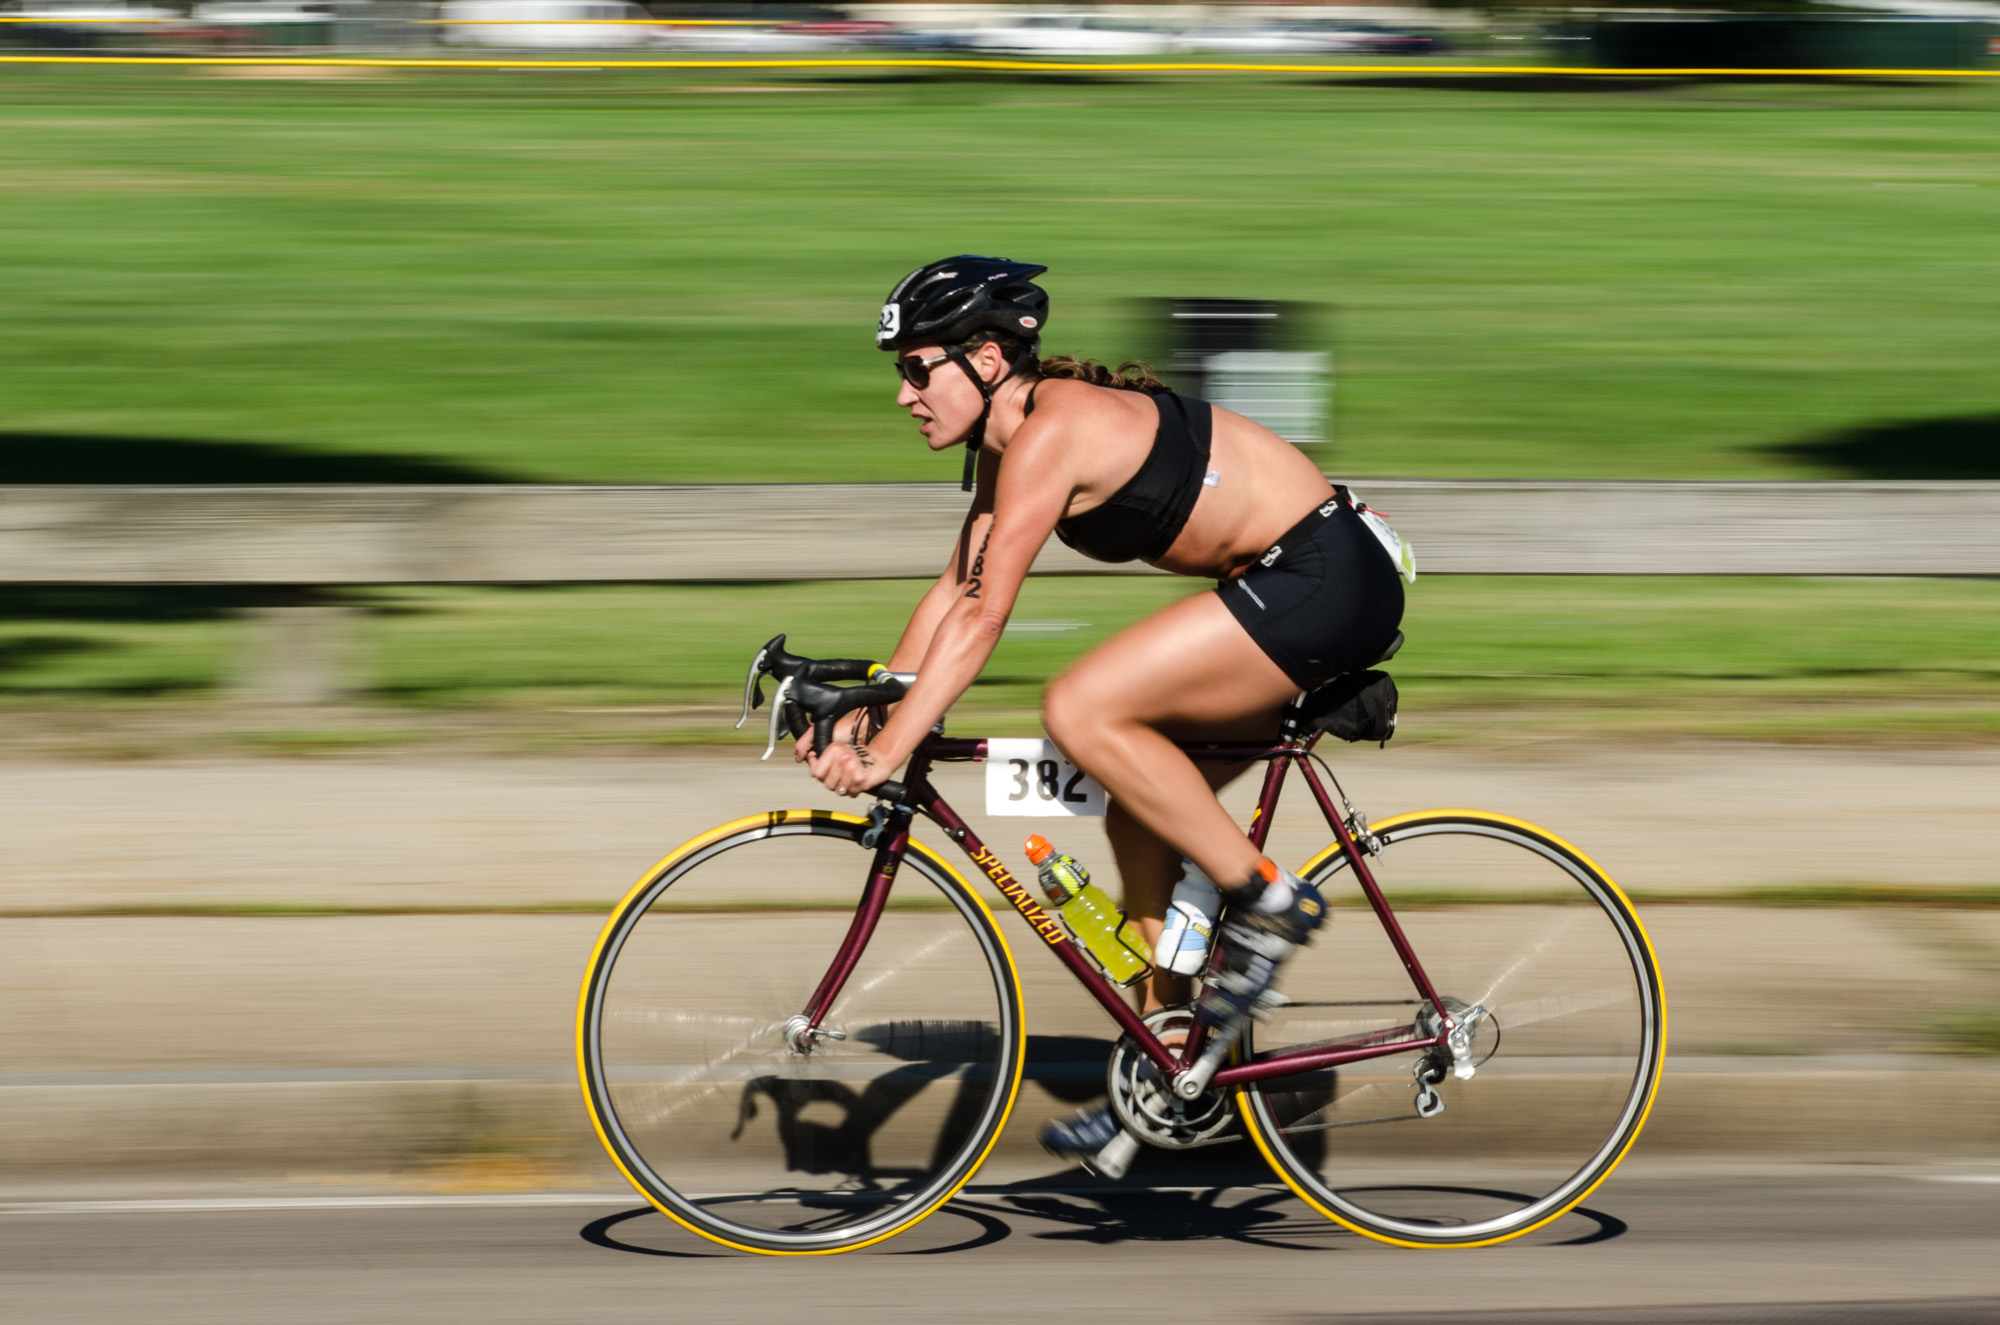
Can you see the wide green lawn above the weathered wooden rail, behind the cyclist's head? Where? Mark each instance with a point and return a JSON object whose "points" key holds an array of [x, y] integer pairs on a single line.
{"points": [[673, 277]]}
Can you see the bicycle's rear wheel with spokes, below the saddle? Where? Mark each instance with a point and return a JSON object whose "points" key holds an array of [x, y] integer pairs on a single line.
{"points": [[1547, 966]]}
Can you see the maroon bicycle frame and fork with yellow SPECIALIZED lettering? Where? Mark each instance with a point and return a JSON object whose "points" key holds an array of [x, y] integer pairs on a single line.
{"points": [[925, 800]]}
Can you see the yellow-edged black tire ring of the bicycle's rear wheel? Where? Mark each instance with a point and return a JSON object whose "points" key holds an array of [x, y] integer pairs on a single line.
{"points": [[1269, 1138]]}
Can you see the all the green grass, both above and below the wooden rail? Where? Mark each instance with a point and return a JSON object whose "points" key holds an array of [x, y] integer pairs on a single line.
{"points": [[673, 277]]}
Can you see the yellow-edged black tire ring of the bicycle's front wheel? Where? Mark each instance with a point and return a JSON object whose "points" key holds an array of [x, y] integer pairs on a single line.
{"points": [[641, 1174]]}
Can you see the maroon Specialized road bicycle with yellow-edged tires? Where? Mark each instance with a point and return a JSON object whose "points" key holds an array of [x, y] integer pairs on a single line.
{"points": [[803, 1032]]}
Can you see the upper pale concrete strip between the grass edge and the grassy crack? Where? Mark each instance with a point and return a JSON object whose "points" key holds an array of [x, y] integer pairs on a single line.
{"points": [[509, 832]]}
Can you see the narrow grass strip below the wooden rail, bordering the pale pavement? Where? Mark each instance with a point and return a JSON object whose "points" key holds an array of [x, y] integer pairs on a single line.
{"points": [[1489, 659]]}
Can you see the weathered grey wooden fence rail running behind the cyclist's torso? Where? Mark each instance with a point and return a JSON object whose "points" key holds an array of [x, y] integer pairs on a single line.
{"points": [[519, 535]]}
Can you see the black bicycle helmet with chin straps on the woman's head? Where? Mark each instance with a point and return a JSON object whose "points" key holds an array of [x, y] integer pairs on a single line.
{"points": [[953, 301]]}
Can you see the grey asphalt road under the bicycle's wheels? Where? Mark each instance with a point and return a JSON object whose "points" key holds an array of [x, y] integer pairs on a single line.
{"points": [[1833, 1246]]}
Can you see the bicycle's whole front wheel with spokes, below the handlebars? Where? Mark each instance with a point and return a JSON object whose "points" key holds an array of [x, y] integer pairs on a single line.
{"points": [[731, 1120]]}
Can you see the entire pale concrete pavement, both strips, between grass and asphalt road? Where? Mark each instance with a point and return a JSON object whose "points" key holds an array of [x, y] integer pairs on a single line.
{"points": [[443, 1046]]}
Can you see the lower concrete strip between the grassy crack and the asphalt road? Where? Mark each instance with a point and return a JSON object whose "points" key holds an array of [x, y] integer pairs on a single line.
{"points": [[441, 1044]]}
